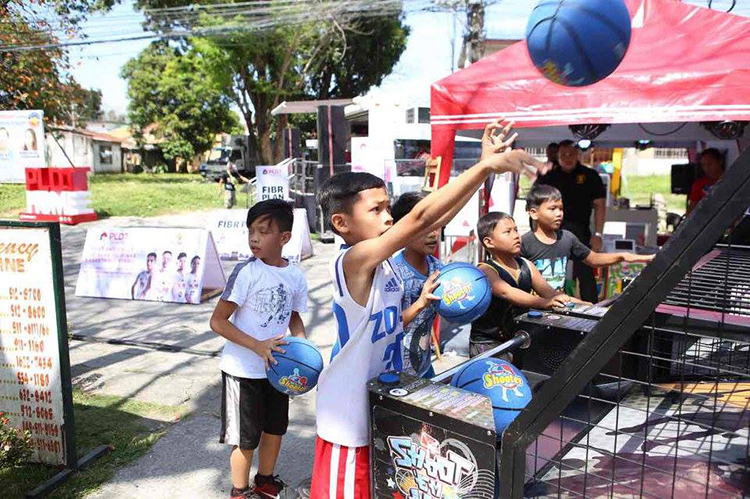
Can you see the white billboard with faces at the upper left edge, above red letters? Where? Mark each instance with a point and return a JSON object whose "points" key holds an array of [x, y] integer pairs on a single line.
{"points": [[21, 144]]}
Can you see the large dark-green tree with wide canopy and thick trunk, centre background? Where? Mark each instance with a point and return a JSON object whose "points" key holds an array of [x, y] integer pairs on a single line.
{"points": [[328, 55]]}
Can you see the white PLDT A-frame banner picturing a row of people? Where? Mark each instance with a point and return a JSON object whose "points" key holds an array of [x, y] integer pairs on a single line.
{"points": [[178, 265]]}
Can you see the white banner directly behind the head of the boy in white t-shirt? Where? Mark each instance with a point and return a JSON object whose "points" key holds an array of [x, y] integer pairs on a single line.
{"points": [[229, 231]]}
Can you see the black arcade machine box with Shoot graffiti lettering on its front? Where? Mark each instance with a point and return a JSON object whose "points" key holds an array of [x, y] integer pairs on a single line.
{"points": [[430, 439]]}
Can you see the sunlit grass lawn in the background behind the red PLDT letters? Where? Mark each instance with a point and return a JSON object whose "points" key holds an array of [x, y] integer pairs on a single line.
{"points": [[142, 195]]}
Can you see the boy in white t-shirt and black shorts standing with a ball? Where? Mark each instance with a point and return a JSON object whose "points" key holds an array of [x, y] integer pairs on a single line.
{"points": [[263, 297]]}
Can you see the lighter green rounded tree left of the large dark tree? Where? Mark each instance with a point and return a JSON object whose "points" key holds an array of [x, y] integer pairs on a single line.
{"points": [[173, 92]]}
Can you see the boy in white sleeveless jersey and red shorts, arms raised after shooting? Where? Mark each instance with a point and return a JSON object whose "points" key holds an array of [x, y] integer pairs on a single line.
{"points": [[367, 303]]}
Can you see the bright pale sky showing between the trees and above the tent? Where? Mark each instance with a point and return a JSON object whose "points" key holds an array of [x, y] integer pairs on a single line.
{"points": [[426, 59]]}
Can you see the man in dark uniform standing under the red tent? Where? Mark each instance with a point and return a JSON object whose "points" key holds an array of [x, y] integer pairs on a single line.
{"points": [[583, 192]]}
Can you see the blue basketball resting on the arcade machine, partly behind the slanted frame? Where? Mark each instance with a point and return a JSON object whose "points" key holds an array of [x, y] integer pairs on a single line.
{"points": [[501, 381]]}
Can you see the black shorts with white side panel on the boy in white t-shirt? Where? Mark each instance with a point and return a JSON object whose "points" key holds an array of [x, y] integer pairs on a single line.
{"points": [[250, 407]]}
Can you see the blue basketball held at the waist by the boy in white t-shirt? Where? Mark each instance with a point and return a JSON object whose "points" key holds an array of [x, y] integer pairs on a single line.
{"points": [[298, 367]]}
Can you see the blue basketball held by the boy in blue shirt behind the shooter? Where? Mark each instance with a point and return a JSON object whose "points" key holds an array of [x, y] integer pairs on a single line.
{"points": [[464, 292]]}
